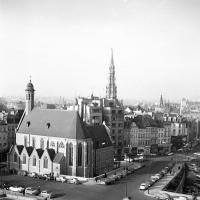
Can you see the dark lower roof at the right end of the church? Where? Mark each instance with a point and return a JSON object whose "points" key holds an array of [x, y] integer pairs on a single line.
{"points": [[99, 136]]}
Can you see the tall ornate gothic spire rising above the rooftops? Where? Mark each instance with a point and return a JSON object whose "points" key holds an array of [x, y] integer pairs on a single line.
{"points": [[111, 89]]}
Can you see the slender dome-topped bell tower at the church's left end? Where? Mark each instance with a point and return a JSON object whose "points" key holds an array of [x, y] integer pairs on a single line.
{"points": [[29, 97]]}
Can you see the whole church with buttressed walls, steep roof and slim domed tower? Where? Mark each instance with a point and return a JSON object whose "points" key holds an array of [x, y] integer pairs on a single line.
{"points": [[52, 141]]}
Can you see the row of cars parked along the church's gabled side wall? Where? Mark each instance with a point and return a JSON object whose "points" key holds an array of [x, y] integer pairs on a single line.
{"points": [[61, 178]]}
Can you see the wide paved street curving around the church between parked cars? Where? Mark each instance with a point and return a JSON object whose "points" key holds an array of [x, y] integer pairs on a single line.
{"points": [[96, 192]]}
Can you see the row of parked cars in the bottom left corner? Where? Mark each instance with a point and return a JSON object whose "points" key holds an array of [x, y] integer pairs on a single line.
{"points": [[27, 191]]}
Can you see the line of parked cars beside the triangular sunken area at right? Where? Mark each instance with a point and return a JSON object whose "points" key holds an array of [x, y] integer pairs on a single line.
{"points": [[154, 178]]}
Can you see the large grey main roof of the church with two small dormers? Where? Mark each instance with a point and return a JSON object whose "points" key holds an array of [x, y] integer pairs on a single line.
{"points": [[62, 123]]}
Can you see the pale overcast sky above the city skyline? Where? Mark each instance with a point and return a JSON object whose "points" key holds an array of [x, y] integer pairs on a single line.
{"points": [[65, 46]]}
